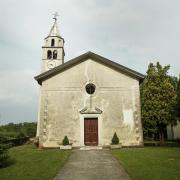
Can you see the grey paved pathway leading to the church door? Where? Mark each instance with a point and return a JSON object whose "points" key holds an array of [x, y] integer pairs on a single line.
{"points": [[92, 165]]}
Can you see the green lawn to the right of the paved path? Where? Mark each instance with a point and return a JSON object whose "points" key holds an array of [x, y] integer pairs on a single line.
{"points": [[150, 163]]}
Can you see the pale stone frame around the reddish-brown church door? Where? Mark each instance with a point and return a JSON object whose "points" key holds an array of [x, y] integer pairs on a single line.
{"points": [[100, 132]]}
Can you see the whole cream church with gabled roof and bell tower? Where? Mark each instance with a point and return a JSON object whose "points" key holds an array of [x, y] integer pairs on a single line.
{"points": [[87, 99]]}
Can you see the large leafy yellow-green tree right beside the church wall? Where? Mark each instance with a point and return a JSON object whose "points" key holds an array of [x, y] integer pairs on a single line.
{"points": [[158, 99]]}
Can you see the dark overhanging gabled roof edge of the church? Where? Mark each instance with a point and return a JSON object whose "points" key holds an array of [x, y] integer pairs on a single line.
{"points": [[84, 57]]}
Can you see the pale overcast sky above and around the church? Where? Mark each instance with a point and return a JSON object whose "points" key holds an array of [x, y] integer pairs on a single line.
{"points": [[130, 32]]}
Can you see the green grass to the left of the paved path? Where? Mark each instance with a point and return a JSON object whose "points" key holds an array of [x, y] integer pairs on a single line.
{"points": [[31, 163]]}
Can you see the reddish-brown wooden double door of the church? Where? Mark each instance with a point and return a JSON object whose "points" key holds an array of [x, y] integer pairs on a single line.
{"points": [[91, 131]]}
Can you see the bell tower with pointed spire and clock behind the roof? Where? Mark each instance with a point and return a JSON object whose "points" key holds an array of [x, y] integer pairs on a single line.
{"points": [[53, 49]]}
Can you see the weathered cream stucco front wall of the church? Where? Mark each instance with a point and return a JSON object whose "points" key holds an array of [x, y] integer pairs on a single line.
{"points": [[64, 95]]}
